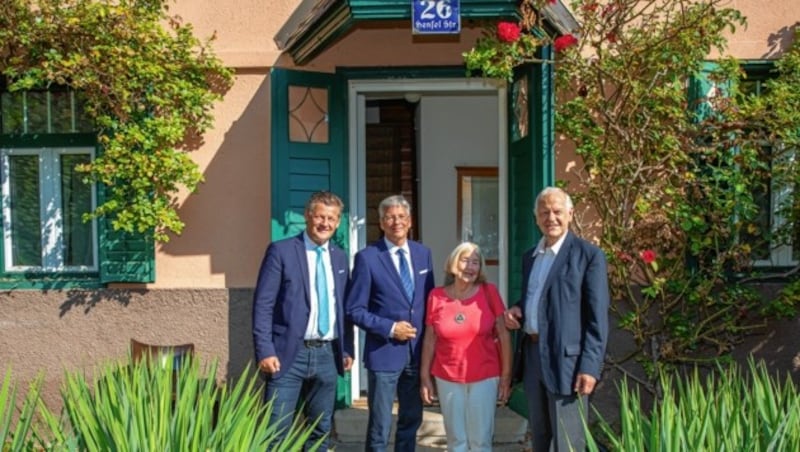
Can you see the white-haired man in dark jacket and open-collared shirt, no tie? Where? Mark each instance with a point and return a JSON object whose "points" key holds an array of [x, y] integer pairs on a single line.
{"points": [[564, 316]]}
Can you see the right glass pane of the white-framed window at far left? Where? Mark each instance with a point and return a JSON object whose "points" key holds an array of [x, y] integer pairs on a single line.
{"points": [[76, 200]]}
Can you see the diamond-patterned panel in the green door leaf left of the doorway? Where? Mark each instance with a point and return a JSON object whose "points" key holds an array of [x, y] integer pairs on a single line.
{"points": [[308, 114]]}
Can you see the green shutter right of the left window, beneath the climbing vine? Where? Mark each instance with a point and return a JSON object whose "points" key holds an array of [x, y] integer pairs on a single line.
{"points": [[124, 256]]}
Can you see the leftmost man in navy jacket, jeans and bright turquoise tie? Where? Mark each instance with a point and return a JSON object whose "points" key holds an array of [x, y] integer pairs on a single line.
{"points": [[301, 338]]}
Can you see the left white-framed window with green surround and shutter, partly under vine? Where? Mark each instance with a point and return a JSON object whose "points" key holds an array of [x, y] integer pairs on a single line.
{"points": [[44, 138]]}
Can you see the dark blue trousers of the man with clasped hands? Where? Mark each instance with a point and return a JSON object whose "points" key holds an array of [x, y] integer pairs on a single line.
{"points": [[381, 393]]}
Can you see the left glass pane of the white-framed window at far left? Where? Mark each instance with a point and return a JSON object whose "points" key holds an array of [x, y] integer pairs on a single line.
{"points": [[26, 229]]}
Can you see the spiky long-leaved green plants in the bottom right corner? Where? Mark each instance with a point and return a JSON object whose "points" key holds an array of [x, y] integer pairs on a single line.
{"points": [[729, 410]]}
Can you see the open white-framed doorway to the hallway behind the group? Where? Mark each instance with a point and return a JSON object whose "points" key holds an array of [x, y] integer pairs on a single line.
{"points": [[427, 129]]}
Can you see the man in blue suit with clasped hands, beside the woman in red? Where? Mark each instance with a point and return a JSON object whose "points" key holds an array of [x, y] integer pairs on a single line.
{"points": [[386, 298]]}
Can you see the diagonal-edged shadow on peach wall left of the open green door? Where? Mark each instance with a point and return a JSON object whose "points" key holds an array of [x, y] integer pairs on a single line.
{"points": [[227, 219]]}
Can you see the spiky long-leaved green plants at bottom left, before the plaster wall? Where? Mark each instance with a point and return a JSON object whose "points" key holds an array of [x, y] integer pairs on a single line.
{"points": [[147, 406]]}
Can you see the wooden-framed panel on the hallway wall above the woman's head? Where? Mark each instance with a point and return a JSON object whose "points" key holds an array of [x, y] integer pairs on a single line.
{"points": [[477, 202]]}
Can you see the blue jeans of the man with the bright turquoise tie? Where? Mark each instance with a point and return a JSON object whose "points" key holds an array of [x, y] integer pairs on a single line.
{"points": [[312, 376]]}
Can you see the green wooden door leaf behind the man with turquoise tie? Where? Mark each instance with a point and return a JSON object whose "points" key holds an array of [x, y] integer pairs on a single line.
{"points": [[306, 163]]}
